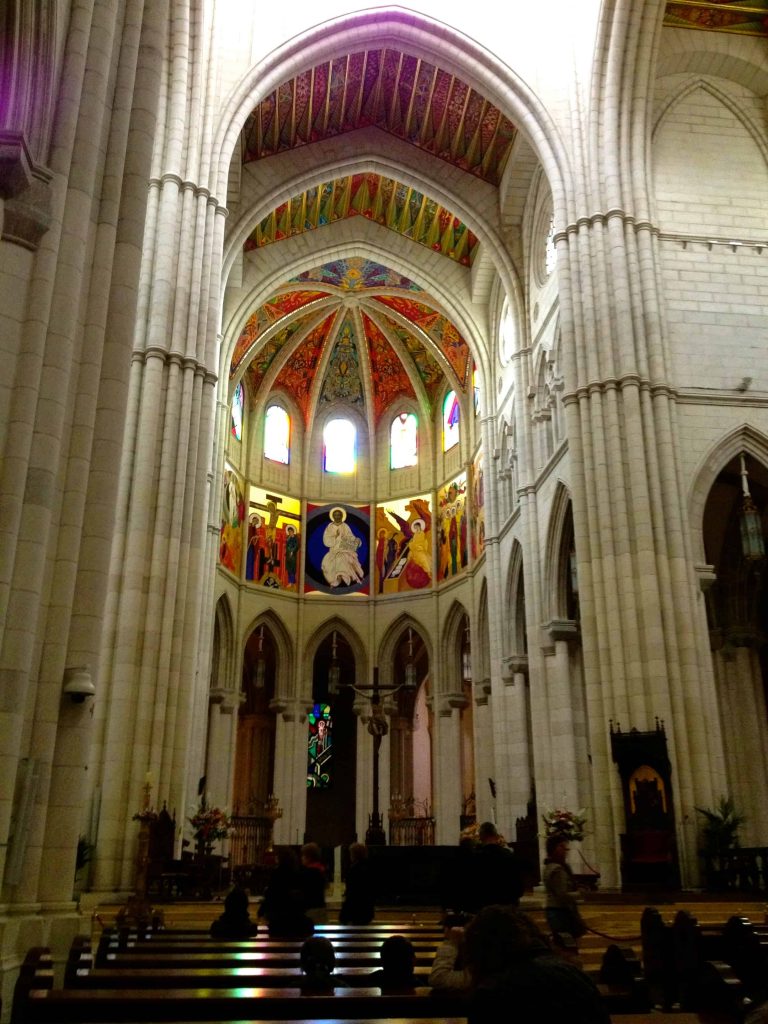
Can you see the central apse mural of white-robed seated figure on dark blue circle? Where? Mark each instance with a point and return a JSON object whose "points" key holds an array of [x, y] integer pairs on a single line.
{"points": [[337, 549]]}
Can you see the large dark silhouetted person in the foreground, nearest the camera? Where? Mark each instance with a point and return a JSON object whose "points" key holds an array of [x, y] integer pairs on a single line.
{"points": [[511, 965]]}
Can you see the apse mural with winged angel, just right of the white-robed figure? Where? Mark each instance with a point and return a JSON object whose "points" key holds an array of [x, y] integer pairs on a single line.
{"points": [[403, 557]]}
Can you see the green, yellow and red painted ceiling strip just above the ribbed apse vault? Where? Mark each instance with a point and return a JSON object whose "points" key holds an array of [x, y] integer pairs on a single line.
{"points": [[377, 198]]}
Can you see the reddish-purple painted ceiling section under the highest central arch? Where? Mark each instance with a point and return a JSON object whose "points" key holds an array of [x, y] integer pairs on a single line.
{"points": [[398, 93]]}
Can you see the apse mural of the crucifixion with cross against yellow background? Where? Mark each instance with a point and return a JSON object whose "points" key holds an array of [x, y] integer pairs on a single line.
{"points": [[273, 556]]}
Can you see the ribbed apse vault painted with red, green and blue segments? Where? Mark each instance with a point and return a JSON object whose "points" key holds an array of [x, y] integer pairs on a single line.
{"points": [[357, 332]]}
